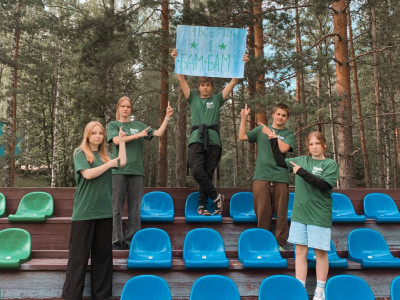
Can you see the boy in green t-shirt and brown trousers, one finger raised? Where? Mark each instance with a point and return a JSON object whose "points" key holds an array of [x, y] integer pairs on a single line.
{"points": [[270, 182]]}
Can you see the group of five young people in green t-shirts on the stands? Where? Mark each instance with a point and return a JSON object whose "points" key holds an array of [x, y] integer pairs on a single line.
{"points": [[104, 182]]}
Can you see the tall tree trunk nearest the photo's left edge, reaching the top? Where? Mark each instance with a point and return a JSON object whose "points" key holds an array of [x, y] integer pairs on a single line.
{"points": [[11, 128]]}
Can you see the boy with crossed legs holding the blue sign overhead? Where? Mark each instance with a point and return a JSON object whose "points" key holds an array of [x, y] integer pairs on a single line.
{"points": [[204, 141]]}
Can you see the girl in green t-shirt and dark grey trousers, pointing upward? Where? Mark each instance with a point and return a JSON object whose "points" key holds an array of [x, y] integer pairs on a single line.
{"points": [[128, 182]]}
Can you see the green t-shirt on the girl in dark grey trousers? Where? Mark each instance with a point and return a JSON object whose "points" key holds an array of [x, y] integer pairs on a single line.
{"points": [[134, 148]]}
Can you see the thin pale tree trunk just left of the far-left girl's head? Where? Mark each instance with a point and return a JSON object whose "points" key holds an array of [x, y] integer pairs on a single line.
{"points": [[54, 164]]}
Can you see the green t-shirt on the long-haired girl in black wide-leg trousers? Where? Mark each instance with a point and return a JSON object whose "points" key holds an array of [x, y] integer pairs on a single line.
{"points": [[93, 197]]}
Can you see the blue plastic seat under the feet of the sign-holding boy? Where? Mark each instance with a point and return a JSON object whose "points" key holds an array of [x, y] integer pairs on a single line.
{"points": [[191, 205]]}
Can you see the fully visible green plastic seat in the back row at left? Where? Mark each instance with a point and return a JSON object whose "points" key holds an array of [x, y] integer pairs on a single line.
{"points": [[33, 207]]}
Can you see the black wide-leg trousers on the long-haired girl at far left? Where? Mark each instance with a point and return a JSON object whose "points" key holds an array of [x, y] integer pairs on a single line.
{"points": [[91, 237]]}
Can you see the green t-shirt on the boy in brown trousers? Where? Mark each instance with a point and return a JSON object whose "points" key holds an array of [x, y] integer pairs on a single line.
{"points": [[266, 167]]}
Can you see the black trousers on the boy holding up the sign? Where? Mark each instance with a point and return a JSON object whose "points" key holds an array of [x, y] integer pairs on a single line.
{"points": [[203, 164]]}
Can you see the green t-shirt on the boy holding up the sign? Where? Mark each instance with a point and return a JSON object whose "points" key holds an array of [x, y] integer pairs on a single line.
{"points": [[205, 111]]}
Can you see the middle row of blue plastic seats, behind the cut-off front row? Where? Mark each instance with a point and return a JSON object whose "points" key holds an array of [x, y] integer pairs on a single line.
{"points": [[257, 248]]}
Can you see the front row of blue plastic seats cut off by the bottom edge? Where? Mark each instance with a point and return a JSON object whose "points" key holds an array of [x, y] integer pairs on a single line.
{"points": [[275, 287]]}
